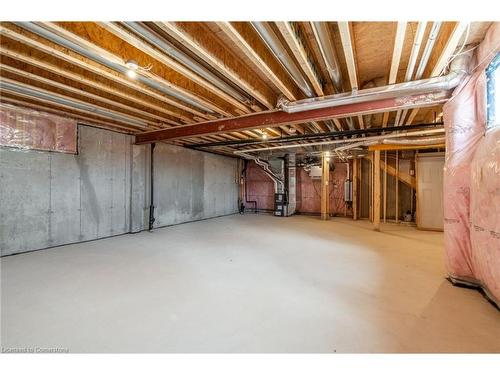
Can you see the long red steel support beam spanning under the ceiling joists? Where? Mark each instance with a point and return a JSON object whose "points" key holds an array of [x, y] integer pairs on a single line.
{"points": [[277, 118]]}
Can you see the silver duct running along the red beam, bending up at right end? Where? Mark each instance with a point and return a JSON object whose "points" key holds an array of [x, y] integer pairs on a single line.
{"points": [[429, 87]]}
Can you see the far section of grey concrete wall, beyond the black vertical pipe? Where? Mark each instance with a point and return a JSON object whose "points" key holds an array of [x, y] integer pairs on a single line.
{"points": [[192, 185]]}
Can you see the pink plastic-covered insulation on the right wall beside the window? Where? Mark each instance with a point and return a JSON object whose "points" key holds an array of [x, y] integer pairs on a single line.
{"points": [[465, 123]]}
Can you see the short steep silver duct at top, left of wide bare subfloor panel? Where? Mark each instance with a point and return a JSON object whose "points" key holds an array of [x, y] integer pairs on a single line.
{"points": [[327, 50]]}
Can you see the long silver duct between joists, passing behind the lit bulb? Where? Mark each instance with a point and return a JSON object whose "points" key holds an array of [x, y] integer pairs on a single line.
{"points": [[121, 68]]}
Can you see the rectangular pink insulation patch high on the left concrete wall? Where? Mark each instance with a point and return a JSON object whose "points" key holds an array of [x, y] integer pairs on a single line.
{"points": [[28, 129]]}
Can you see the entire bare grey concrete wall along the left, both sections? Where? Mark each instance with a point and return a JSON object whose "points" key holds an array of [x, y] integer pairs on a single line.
{"points": [[49, 199]]}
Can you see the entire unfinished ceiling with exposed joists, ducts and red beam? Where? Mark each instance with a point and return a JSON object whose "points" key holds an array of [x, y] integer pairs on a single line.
{"points": [[227, 86]]}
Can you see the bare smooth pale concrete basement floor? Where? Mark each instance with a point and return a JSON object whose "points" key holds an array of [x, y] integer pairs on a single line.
{"points": [[252, 283]]}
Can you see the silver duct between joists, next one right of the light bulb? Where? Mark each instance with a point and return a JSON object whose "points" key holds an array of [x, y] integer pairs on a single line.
{"points": [[170, 50]]}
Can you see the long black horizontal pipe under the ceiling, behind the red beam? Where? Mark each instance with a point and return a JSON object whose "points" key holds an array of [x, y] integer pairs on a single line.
{"points": [[314, 136]]}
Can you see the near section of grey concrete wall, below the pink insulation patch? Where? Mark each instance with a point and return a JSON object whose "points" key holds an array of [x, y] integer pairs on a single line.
{"points": [[49, 199]]}
